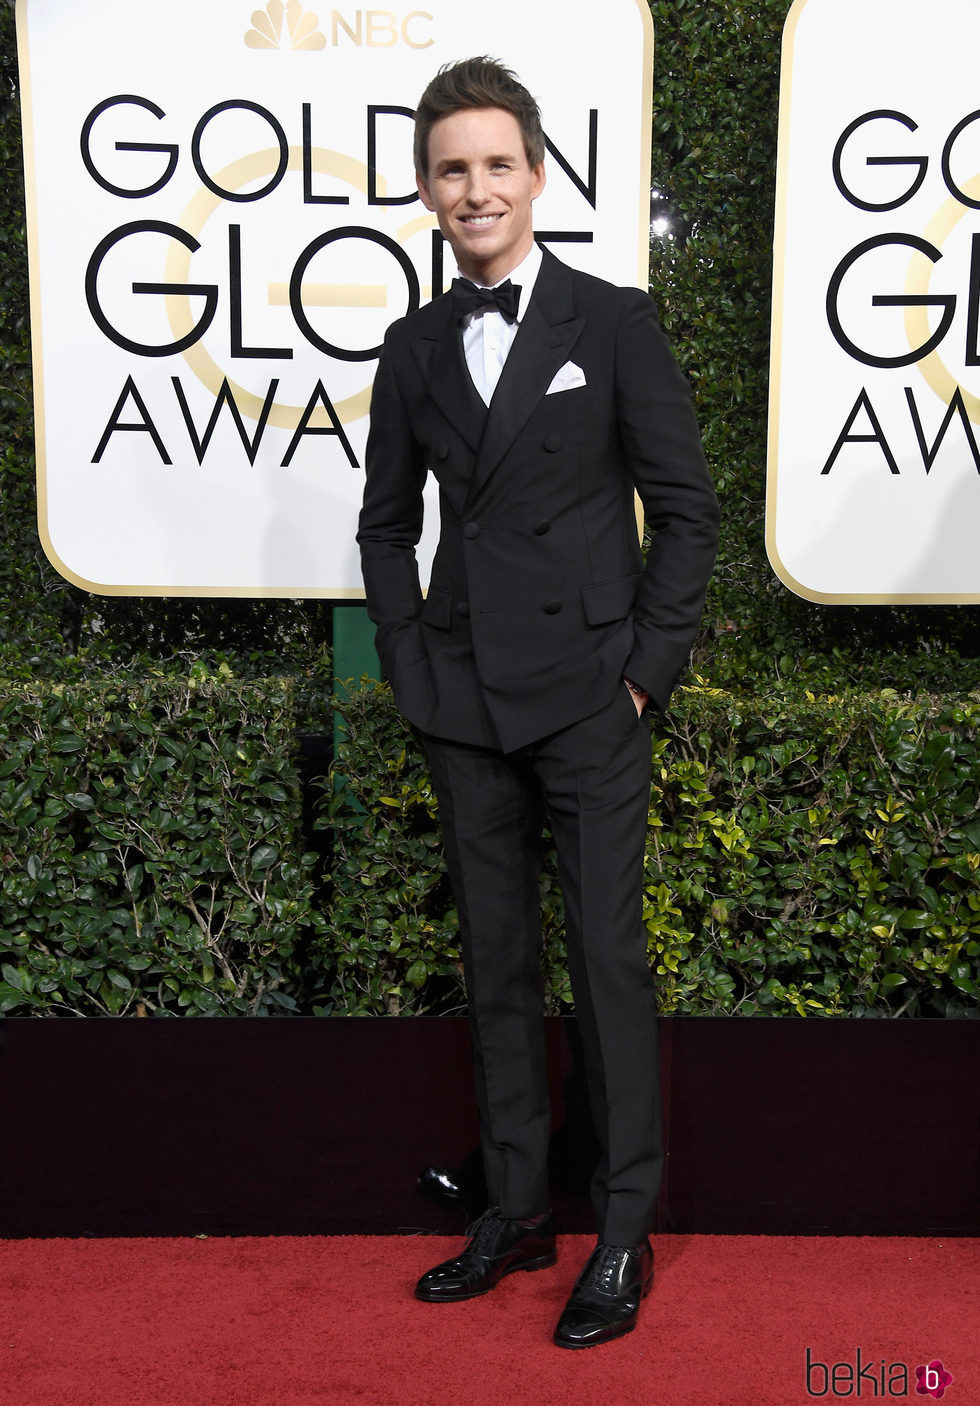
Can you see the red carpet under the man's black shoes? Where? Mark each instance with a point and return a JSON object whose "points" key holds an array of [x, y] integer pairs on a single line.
{"points": [[281, 1322]]}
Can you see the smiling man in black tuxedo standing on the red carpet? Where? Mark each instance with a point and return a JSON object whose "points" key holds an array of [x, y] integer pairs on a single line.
{"points": [[539, 397]]}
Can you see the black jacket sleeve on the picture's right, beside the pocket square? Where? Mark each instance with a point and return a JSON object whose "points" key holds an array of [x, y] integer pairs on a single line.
{"points": [[664, 456]]}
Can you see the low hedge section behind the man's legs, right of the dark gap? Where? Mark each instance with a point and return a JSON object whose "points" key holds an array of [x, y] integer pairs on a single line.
{"points": [[812, 858]]}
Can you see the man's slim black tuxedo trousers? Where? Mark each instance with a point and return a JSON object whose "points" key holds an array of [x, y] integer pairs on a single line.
{"points": [[591, 784]]}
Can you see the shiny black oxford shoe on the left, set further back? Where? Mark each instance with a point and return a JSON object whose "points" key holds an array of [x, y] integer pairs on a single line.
{"points": [[496, 1248]]}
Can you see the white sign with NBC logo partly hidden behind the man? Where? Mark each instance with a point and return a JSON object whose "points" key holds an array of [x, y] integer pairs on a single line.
{"points": [[223, 223]]}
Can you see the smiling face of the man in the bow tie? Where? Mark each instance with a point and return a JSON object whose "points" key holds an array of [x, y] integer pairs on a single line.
{"points": [[482, 188]]}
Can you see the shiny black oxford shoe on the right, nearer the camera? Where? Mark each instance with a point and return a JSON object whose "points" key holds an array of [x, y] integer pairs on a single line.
{"points": [[605, 1301]]}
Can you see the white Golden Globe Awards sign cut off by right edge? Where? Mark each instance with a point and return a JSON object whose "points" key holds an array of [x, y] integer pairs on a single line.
{"points": [[875, 404]]}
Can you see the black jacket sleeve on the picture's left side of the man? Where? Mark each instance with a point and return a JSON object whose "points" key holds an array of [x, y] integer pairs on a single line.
{"points": [[390, 522]]}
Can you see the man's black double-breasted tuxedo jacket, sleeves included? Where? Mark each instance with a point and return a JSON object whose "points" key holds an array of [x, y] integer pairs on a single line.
{"points": [[539, 601]]}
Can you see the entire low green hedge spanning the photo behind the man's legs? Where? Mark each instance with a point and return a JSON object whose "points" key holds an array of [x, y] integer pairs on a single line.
{"points": [[812, 857]]}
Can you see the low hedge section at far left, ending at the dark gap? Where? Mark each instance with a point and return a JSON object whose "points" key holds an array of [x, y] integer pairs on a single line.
{"points": [[151, 849]]}
